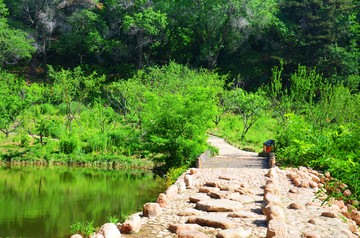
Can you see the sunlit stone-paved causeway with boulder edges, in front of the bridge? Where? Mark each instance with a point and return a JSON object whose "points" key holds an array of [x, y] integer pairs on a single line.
{"points": [[230, 202]]}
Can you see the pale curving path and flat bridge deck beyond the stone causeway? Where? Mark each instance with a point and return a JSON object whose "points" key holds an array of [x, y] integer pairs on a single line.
{"points": [[231, 157]]}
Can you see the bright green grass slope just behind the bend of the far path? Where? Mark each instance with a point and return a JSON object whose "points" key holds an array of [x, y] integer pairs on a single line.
{"points": [[230, 128]]}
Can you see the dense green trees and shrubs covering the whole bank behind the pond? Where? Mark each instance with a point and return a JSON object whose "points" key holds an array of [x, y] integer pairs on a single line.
{"points": [[139, 82]]}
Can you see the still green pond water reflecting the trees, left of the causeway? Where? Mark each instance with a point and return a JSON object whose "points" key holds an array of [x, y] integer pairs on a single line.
{"points": [[45, 201]]}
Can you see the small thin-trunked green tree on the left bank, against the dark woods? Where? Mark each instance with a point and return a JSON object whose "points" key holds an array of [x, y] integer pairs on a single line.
{"points": [[72, 86]]}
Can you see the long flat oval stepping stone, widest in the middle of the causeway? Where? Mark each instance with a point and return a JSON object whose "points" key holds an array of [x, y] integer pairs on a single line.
{"points": [[219, 205]]}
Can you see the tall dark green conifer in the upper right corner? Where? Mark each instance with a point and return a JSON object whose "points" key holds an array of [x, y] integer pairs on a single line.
{"points": [[312, 27]]}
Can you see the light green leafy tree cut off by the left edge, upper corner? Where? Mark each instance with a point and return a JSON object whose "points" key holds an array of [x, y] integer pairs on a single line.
{"points": [[14, 44]]}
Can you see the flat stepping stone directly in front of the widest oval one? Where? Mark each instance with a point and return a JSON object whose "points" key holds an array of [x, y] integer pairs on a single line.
{"points": [[215, 221]]}
